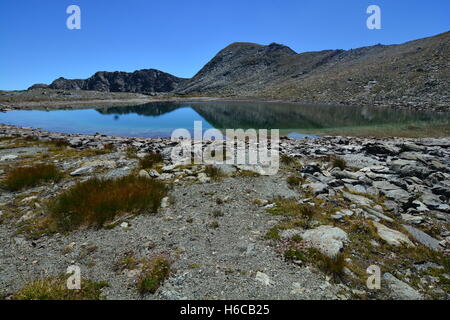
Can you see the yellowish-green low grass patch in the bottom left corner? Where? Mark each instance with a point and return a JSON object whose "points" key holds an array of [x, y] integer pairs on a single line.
{"points": [[55, 288]]}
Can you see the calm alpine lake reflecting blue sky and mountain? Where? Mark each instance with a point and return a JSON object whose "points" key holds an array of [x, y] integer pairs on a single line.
{"points": [[160, 119]]}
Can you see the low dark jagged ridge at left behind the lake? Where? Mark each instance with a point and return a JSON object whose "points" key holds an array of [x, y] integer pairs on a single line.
{"points": [[141, 81]]}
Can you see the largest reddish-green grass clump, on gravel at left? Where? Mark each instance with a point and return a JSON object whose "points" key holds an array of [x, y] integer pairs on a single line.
{"points": [[97, 201]]}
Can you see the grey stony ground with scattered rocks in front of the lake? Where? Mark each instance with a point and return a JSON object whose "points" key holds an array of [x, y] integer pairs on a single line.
{"points": [[228, 238]]}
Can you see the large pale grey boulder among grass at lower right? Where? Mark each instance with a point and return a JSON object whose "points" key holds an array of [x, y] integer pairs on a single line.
{"points": [[327, 239]]}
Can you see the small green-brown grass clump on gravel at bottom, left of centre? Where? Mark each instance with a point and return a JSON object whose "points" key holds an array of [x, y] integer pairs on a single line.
{"points": [[154, 272]]}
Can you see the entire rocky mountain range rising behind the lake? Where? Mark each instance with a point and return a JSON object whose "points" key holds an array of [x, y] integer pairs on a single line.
{"points": [[414, 73]]}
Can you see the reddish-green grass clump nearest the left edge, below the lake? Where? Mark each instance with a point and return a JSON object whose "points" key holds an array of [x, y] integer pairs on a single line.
{"points": [[26, 177]]}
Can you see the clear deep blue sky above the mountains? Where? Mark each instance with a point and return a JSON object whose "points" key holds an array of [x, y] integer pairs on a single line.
{"points": [[180, 36]]}
